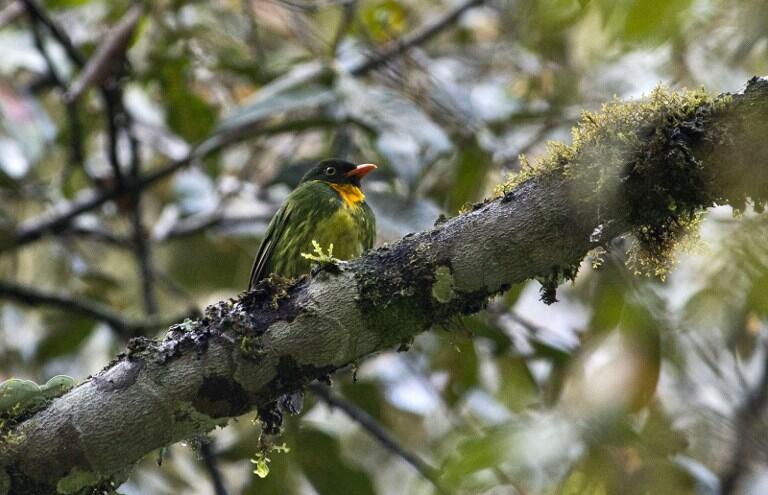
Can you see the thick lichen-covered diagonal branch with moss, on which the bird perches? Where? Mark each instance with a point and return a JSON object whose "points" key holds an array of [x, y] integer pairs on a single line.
{"points": [[647, 168]]}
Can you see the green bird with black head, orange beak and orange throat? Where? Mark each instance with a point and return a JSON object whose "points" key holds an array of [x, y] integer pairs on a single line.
{"points": [[327, 207]]}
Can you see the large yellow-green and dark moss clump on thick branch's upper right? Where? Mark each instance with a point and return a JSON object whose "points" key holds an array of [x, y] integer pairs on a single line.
{"points": [[640, 154]]}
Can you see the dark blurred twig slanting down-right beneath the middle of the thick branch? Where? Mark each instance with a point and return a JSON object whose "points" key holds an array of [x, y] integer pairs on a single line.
{"points": [[370, 425]]}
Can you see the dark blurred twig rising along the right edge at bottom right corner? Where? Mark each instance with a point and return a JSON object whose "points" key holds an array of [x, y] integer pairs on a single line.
{"points": [[749, 414]]}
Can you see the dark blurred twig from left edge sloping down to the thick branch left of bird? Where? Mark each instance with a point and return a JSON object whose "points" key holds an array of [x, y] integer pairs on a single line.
{"points": [[36, 297]]}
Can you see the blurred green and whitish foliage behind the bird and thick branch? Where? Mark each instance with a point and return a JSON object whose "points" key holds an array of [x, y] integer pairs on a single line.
{"points": [[627, 385]]}
